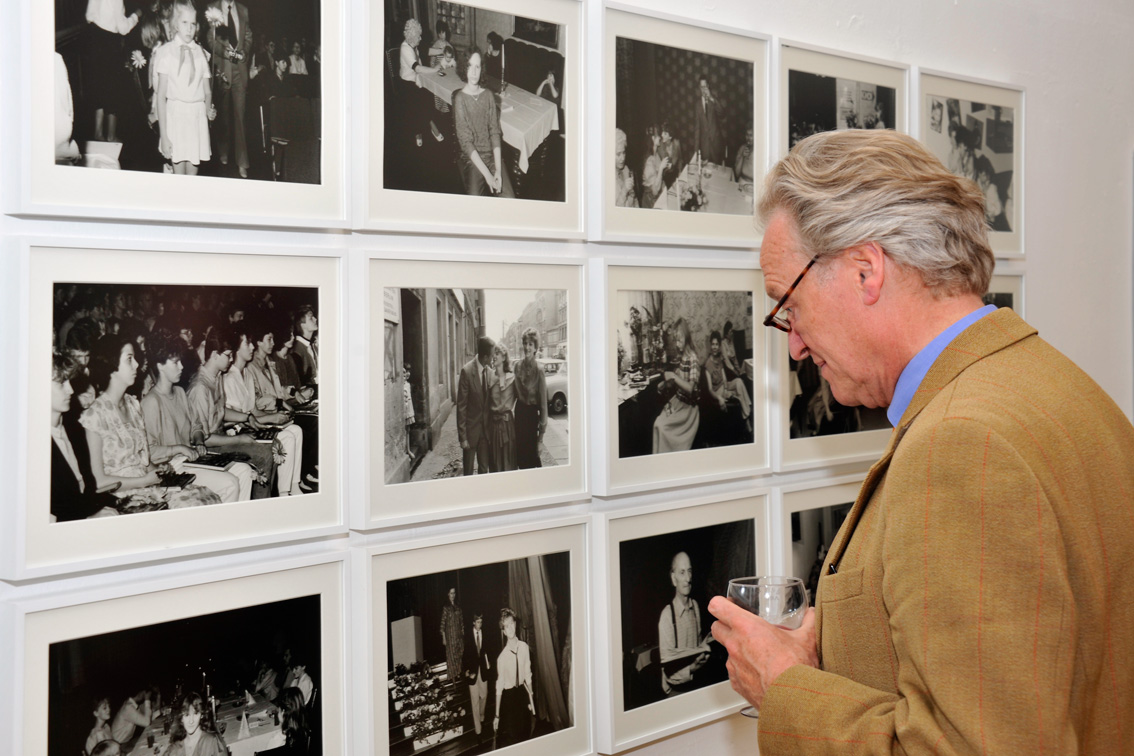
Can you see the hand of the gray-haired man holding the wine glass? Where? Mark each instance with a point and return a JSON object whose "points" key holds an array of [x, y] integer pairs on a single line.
{"points": [[759, 652]]}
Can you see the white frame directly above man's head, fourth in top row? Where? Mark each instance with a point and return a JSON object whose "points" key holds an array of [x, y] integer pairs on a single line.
{"points": [[830, 66]]}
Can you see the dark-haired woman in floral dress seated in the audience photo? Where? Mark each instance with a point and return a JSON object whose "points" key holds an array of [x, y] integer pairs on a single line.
{"points": [[116, 432]]}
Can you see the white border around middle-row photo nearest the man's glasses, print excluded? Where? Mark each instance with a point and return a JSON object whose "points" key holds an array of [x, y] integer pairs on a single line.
{"points": [[615, 477]]}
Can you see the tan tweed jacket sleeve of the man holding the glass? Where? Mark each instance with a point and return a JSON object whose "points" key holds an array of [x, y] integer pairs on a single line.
{"points": [[981, 618]]}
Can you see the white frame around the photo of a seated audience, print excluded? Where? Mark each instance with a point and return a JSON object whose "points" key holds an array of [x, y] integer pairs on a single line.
{"points": [[30, 556]]}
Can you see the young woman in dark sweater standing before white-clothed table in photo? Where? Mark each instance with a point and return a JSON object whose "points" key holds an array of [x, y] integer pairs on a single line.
{"points": [[477, 120]]}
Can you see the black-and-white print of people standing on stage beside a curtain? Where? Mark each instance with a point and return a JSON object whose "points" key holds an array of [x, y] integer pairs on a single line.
{"points": [[480, 658]]}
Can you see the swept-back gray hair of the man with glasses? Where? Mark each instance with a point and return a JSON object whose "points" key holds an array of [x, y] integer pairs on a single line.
{"points": [[843, 189]]}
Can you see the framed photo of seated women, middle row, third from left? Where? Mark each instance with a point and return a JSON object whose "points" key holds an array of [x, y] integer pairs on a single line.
{"points": [[684, 375]]}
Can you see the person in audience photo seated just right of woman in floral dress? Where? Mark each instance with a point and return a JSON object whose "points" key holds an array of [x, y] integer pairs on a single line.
{"points": [[166, 413]]}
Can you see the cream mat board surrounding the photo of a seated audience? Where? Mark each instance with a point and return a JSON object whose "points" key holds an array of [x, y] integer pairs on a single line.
{"points": [[52, 547]]}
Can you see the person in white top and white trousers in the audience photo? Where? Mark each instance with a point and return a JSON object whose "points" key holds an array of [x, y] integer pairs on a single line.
{"points": [[241, 396]]}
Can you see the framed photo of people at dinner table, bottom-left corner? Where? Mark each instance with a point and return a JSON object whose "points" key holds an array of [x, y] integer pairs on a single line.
{"points": [[241, 665]]}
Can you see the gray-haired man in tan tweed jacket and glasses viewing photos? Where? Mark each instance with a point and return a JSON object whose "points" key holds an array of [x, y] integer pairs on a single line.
{"points": [[974, 601]]}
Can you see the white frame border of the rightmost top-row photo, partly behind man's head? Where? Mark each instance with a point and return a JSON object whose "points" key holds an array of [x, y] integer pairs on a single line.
{"points": [[1005, 244]]}
